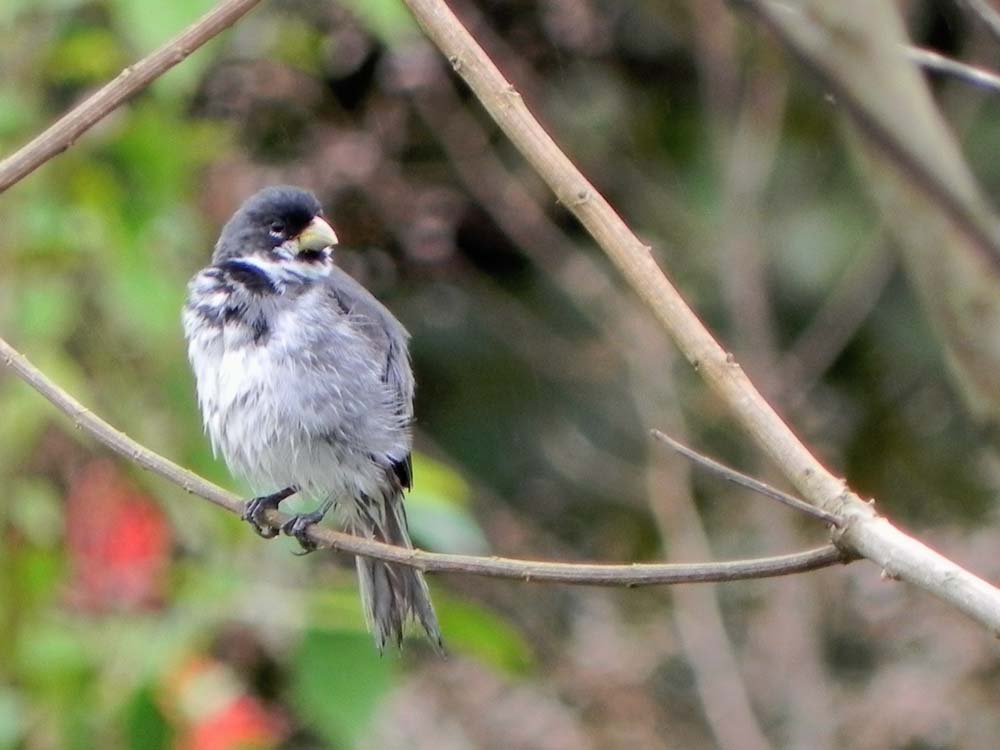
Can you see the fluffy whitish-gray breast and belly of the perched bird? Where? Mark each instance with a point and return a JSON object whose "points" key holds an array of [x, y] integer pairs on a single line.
{"points": [[291, 393]]}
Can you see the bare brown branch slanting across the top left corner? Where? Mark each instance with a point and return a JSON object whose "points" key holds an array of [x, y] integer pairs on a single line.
{"points": [[63, 133]]}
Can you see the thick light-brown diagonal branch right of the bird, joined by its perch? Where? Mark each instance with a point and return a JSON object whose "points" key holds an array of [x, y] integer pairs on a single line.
{"points": [[864, 532]]}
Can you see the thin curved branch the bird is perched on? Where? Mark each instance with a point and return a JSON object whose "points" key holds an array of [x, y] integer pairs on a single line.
{"points": [[638, 574]]}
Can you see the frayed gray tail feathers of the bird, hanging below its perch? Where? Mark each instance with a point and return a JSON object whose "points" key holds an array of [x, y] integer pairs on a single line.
{"points": [[391, 593]]}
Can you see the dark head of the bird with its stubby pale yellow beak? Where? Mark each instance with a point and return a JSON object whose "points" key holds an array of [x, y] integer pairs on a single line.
{"points": [[279, 225]]}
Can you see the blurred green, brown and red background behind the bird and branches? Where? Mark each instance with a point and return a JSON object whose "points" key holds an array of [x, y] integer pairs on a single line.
{"points": [[135, 616]]}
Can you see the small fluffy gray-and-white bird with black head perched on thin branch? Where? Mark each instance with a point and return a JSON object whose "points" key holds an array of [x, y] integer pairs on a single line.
{"points": [[305, 386]]}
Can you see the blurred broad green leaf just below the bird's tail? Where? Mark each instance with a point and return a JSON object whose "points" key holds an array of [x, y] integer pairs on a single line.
{"points": [[338, 679]]}
